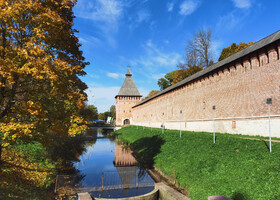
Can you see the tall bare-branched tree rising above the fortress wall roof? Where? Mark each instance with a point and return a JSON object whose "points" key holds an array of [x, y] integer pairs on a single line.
{"points": [[198, 49]]}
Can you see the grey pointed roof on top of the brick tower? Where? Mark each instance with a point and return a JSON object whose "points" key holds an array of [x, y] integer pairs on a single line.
{"points": [[129, 88]]}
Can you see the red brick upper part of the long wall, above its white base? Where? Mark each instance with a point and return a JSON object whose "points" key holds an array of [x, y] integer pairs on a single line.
{"points": [[238, 89]]}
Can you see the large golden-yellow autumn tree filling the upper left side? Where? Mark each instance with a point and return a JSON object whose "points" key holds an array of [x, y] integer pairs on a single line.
{"points": [[40, 65]]}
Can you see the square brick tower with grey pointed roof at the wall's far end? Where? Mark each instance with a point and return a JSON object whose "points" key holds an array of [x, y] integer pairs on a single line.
{"points": [[127, 97]]}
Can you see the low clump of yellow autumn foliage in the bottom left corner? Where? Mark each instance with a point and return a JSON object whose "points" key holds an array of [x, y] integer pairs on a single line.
{"points": [[18, 171]]}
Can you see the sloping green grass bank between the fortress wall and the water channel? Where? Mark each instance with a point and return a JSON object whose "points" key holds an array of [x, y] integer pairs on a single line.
{"points": [[234, 167]]}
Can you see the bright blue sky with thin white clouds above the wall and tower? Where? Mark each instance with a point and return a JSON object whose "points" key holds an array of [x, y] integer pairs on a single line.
{"points": [[151, 35]]}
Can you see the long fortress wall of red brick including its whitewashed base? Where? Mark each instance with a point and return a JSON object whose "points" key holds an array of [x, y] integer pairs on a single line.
{"points": [[238, 90]]}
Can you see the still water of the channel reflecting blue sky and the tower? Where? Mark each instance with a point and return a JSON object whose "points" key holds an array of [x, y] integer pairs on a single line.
{"points": [[107, 169]]}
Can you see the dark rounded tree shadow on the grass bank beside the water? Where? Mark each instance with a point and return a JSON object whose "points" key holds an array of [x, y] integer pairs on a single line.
{"points": [[145, 150]]}
